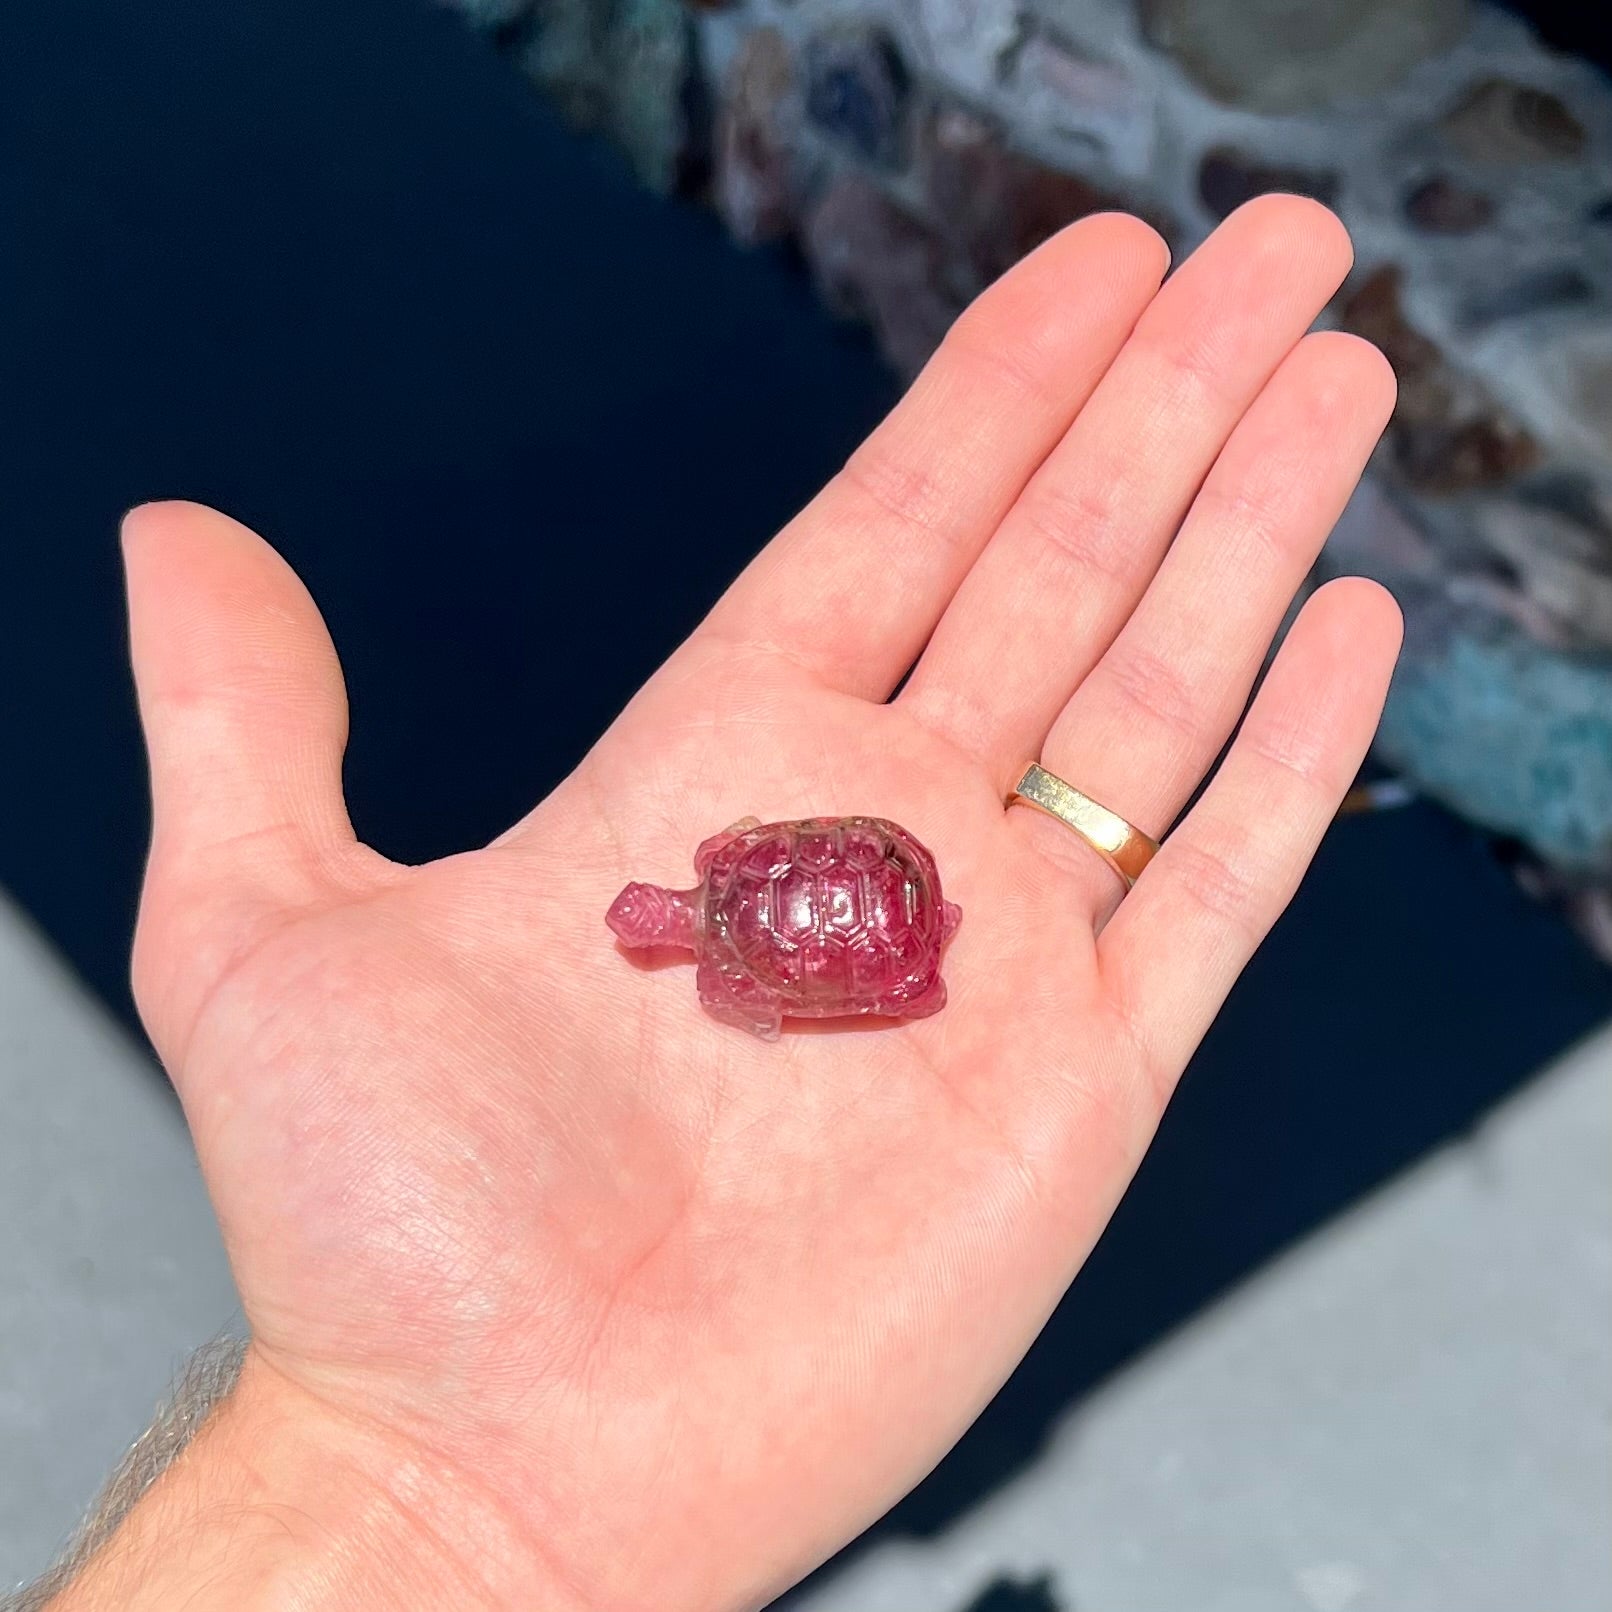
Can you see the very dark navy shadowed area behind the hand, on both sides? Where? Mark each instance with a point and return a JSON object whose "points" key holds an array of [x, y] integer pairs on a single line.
{"points": [[336, 270]]}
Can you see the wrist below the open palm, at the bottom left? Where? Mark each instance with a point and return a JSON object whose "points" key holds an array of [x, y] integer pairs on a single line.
{"points": [[285, 1502]]}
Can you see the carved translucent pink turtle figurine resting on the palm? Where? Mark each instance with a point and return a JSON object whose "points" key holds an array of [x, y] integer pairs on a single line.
{"points": [[815, 920]]}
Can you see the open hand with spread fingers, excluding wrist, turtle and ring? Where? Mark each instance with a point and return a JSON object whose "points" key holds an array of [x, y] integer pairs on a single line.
{"points": [[681, 1308]]}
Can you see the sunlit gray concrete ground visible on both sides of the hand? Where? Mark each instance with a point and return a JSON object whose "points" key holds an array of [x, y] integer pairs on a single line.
{"points": [[1411, 1413]]}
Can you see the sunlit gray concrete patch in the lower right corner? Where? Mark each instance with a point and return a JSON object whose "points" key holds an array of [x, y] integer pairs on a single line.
{"points": [[1411, 1413]]}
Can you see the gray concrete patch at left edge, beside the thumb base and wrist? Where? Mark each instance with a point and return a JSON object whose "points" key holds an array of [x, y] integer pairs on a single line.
{"points": [[110, 1261]]}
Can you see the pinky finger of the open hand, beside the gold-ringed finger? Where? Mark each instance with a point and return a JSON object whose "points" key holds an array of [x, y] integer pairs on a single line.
{"points": [[1182, 937]]}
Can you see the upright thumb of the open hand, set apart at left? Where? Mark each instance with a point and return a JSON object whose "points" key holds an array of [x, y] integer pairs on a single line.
{"points": [[246, 723]]}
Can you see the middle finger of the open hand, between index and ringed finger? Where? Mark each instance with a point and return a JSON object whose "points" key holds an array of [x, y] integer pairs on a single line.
{"points": [[1078, 550]]}
